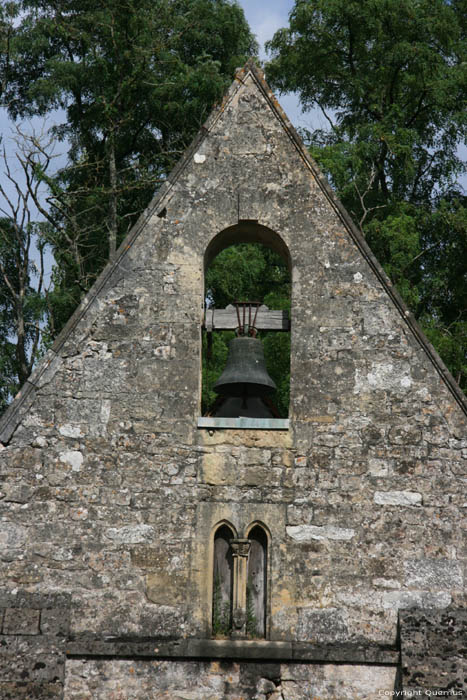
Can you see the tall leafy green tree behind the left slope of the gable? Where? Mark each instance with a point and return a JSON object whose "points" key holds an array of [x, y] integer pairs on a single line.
{"points": [[136, 79]]}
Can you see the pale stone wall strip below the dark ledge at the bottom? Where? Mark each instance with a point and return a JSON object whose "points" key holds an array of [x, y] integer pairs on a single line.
{"points": [[222, 680]]}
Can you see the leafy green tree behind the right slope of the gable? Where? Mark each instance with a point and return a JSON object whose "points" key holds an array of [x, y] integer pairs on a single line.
{"points": [[389, 77]]}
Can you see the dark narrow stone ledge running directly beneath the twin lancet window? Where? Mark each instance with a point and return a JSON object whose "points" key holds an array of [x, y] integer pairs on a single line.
{"points": [[86, 646]]}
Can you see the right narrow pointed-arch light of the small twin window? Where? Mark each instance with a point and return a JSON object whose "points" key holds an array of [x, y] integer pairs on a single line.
{"points": [[257, 579]]}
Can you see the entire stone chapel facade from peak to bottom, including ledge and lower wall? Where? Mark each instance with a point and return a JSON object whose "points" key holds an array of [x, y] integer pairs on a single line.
{"points": [[118, 497]]}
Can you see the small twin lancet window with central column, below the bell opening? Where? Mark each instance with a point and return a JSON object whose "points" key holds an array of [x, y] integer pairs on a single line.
{"points": [[239, 583]]}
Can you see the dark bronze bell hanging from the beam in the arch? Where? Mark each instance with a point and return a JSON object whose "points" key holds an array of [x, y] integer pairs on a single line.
{"points": [[245, 373]]}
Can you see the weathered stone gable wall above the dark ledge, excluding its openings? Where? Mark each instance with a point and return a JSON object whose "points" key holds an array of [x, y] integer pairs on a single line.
{"points": [[110, 491]]}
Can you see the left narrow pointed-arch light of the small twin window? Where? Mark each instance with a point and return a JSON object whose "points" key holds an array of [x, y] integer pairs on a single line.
{"points": [[222, 582]]}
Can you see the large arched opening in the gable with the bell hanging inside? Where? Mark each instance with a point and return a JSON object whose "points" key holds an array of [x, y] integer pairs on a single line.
{"points": [[246, 346]]}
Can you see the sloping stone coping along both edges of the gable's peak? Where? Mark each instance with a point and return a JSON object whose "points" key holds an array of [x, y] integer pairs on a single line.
{"points": [[250, 74]]}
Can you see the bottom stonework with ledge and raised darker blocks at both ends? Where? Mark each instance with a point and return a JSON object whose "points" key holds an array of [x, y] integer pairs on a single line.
{"points": [[39, 660]]}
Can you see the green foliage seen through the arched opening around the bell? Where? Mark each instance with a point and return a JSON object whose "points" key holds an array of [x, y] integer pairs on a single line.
{"points": [[248, 272]]}
